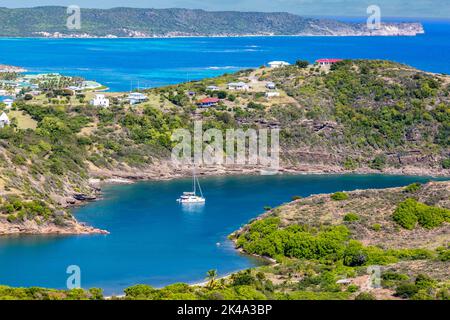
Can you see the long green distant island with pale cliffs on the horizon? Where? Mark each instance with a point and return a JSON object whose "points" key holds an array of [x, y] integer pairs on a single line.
{"points": [[50, 22]]}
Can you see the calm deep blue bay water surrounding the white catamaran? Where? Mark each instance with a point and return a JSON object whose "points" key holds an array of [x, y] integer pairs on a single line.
{"points": [[155, 240]]}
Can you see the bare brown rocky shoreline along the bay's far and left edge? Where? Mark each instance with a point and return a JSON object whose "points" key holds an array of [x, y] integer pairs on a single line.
{"points": [[163, 172]]}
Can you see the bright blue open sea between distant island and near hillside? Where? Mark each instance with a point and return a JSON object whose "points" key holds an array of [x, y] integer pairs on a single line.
{"points": [[122, 64]]}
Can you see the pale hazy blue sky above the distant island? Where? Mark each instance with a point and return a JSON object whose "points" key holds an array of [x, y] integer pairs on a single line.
{"points": [[342, 8]]}
